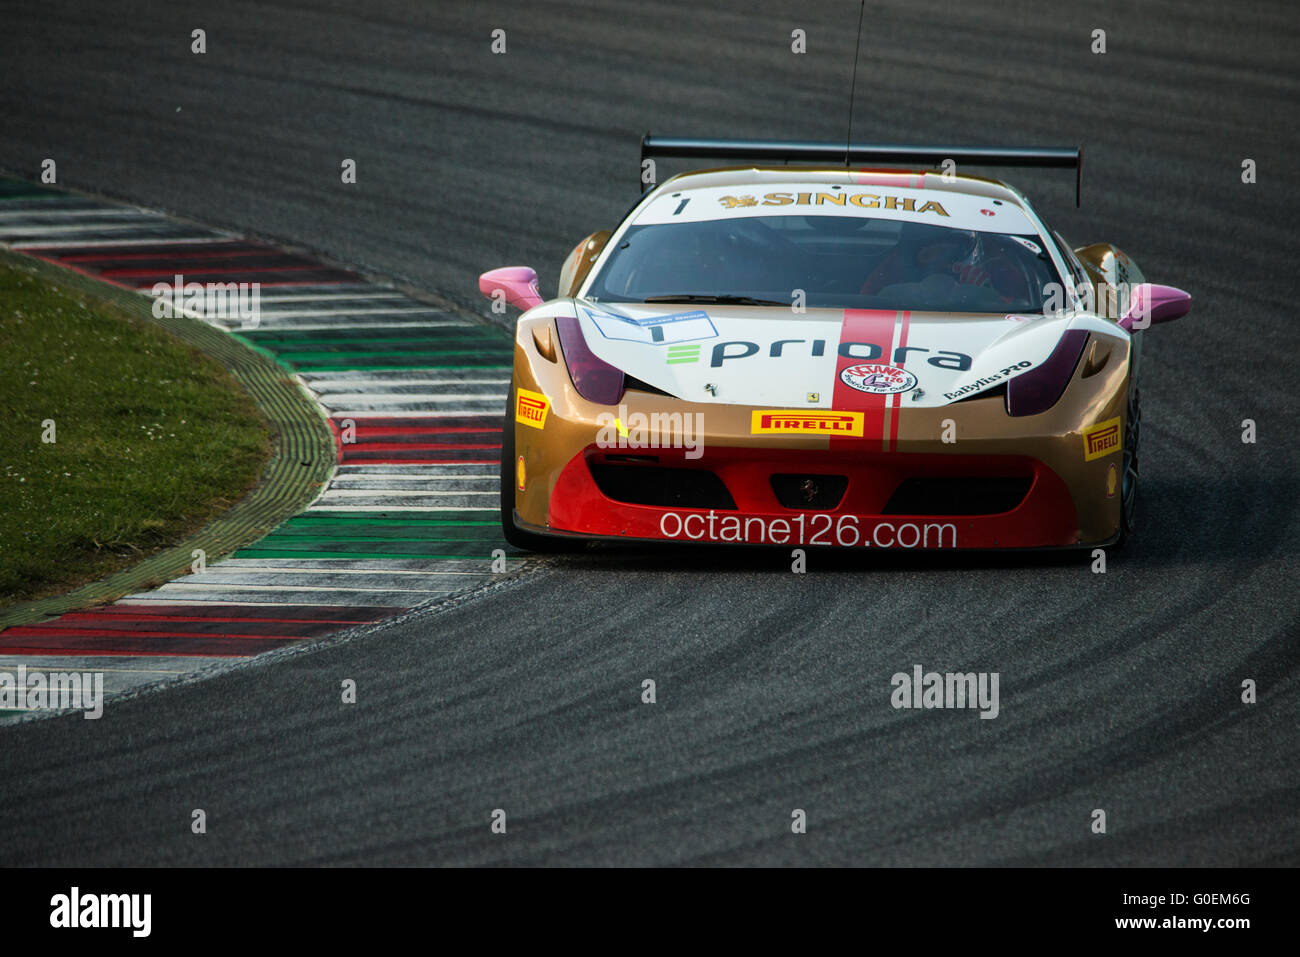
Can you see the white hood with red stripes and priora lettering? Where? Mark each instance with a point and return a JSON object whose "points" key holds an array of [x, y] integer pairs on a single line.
{"points": [[821, 358]]}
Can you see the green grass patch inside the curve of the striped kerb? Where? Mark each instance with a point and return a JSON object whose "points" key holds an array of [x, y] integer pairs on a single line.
{"points": [[153, 439]]}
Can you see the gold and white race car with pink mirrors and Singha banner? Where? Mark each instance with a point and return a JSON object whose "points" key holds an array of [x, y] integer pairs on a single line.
{"points": [[829, 350]]}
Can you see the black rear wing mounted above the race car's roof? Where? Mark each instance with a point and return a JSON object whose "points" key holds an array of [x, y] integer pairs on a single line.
{"points": [[847, 154]]}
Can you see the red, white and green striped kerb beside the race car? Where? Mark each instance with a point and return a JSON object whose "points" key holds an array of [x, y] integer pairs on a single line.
{"points": [[414, 397]]}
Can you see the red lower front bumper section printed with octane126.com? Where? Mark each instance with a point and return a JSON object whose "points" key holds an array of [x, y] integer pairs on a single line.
{"points": [[866, 516]]}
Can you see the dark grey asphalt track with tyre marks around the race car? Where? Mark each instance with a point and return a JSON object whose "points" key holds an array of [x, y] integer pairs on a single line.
{"points": [[1119, 691]]}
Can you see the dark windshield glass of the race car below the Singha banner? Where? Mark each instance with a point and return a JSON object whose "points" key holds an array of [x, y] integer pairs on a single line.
{"points": [[839, 262]]}
